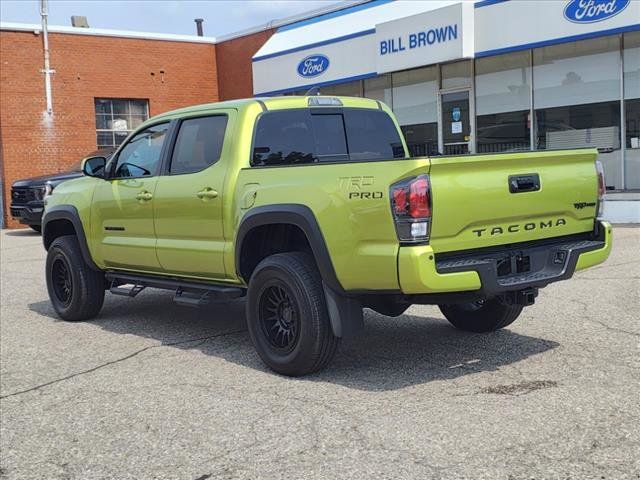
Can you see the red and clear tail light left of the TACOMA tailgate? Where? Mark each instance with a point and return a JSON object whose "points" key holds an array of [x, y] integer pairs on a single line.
{"points": [[411, 208]]}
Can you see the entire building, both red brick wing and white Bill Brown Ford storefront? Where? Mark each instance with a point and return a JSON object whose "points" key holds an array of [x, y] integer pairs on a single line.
{"points": [[462, 77]]}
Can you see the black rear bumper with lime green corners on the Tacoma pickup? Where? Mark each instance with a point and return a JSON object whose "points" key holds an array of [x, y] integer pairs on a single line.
{"points": [[498, 270]]}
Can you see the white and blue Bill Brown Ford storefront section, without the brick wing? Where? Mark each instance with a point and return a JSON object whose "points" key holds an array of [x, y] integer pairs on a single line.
{"points": [[481, 77]]}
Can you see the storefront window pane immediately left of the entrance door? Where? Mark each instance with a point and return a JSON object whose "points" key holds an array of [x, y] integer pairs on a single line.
{"points": [[415, 105]]}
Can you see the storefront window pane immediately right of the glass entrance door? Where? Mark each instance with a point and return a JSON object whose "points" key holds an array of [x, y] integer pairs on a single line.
{"points": [[503, 86]]}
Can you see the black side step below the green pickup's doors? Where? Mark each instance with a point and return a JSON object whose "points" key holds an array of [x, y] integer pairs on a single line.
{"points": [[187, 293]]}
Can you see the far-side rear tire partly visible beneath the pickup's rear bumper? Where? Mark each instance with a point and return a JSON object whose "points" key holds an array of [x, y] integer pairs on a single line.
{"points": [[480, 317]]}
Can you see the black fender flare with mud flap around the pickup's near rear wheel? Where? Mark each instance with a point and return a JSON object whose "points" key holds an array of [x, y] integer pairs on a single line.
{"points": [[345, 313]]}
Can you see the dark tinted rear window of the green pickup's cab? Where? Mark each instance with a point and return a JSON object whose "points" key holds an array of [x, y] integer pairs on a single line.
{"points": [[302, 136]]}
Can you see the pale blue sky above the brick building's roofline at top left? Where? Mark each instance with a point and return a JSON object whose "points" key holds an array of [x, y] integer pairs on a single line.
{"points": [[162, 16]]}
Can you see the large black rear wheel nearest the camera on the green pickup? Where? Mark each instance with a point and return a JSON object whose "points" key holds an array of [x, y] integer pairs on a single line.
{"points": [[287, 315]]}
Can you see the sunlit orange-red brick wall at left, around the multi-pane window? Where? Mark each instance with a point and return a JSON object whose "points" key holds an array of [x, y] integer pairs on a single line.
{"points": [[86, 67]]}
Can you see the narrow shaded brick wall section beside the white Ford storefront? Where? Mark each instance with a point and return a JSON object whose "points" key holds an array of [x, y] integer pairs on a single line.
{"points": [[234, 64]]}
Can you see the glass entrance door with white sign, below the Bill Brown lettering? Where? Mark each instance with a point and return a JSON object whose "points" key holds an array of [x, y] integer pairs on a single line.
{"points": [[456, 126]]}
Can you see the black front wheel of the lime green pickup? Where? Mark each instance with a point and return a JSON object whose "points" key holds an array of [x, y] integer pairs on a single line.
{"points": [[75, 289]]}
